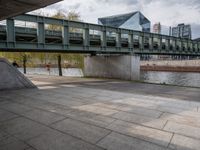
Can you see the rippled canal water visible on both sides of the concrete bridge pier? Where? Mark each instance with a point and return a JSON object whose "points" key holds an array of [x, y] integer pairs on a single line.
{"points": [[173, 78]]}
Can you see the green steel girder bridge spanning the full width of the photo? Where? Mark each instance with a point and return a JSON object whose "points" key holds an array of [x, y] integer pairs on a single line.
{"points": [[45, 34]]}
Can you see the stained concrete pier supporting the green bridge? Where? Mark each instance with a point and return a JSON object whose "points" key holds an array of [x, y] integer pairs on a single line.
{"points": [[126, 67]]}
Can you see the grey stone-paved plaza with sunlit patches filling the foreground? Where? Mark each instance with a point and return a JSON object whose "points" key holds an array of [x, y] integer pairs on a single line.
{"points": [[97, 114]]}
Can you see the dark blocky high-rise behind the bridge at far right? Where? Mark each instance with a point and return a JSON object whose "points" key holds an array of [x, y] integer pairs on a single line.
{"points": [[183, 31]]}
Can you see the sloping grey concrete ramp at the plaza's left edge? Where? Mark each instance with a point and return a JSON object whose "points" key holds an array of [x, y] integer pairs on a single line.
{"points": [[12, 78]]}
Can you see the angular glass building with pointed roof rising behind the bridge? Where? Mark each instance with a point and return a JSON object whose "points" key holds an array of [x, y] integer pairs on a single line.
{"points": [[132, 21]]}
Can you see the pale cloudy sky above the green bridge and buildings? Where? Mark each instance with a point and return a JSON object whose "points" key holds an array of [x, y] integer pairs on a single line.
{"points": [[168, 12]]}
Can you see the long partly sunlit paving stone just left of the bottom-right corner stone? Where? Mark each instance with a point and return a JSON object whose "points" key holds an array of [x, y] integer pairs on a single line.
{"points": [[148, 134]]}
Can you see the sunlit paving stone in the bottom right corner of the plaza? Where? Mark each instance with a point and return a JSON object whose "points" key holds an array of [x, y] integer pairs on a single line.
{"points": [[180, 142]]}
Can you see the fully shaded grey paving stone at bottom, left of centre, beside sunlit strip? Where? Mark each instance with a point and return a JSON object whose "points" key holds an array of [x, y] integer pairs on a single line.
{"points": [[81, 130]]}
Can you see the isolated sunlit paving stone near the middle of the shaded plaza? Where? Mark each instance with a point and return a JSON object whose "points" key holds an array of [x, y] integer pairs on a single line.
{"points": [[96, 110]]}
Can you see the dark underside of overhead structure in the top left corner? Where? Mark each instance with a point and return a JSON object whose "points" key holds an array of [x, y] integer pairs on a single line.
{"points": [[9, 8]]}
